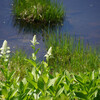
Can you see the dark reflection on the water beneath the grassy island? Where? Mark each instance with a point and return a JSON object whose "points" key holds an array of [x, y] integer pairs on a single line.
{"points": [[25, 27]]}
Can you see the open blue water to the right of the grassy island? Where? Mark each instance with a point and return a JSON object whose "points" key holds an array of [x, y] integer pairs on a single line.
{"points": [[83, 19]]}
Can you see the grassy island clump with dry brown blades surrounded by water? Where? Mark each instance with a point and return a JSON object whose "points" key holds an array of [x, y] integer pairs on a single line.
{"points": [[38, 11]]}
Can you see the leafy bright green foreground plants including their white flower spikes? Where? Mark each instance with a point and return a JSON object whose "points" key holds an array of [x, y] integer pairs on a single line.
{"points": [[38, 83]]}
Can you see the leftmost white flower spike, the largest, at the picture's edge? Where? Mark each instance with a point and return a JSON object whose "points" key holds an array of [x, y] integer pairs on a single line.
{"points": [[4, 51]]}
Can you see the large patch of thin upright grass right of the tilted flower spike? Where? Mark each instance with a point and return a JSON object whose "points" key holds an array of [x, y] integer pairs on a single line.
{"points": [[71, 54]]}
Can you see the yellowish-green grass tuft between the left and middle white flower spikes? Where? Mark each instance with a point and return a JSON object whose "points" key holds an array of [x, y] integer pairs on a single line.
{"points": [[19, 64]]}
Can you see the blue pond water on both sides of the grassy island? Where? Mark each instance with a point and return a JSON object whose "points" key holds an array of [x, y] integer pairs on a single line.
{"points": [[82, 20]]}
